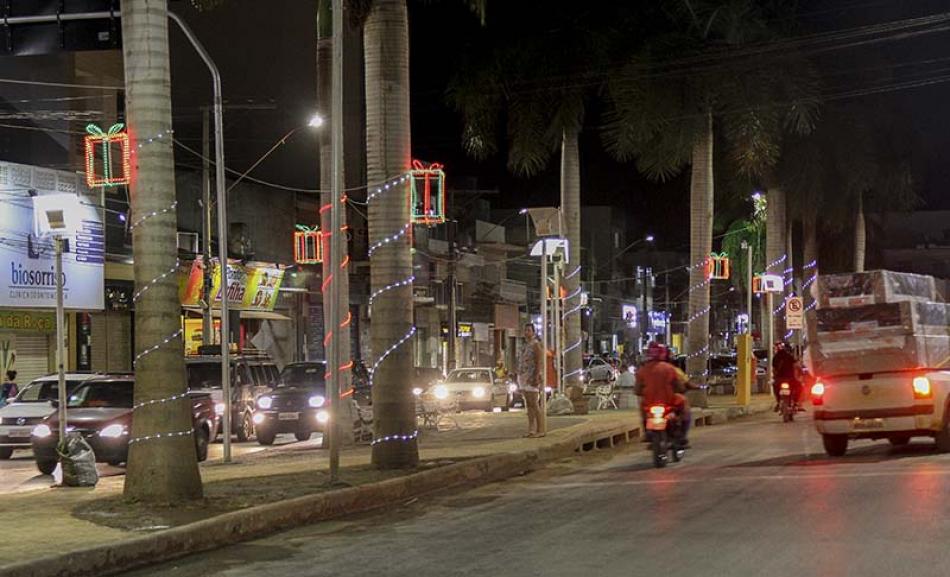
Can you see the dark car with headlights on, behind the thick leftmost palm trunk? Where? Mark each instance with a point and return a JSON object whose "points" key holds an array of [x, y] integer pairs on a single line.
{"points": [[100, 409]]}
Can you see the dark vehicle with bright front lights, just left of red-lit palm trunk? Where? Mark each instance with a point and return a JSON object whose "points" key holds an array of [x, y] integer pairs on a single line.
{"points": [[296, 405]]}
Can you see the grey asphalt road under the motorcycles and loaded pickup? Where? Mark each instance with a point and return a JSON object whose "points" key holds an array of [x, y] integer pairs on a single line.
{"points": [[755, 498]]}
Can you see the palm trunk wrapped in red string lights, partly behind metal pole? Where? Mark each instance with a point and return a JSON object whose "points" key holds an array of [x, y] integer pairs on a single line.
{"points": [[324, 92]]}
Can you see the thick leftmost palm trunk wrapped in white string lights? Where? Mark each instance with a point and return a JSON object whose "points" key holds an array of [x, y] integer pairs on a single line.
{"points": [[161, 470]]}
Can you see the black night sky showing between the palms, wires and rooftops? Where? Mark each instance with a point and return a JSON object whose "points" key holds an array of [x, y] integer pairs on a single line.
{"points": [[266, 54]]}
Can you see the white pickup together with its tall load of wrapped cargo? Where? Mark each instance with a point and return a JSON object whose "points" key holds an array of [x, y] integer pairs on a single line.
{"points": [[880, 347]]}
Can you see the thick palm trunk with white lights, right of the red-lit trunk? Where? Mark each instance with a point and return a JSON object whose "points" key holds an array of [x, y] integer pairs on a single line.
{"points": [[386, 54]]}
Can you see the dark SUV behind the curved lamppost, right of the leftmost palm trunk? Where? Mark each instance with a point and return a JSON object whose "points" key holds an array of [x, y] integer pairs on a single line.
{"points": [[252, 375]]}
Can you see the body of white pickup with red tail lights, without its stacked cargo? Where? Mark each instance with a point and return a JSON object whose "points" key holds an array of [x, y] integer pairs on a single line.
{"points": [[892, 405]]}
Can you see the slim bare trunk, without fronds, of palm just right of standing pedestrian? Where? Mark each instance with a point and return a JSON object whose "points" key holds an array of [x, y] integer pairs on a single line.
{"points": [[571, 213]]}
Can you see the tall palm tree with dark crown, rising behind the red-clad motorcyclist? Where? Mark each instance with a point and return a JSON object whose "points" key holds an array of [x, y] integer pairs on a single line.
{"points": [[667, 100]]}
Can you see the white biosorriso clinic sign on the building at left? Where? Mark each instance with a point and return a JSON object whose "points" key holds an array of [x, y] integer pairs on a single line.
{"points": [[27, 259]]}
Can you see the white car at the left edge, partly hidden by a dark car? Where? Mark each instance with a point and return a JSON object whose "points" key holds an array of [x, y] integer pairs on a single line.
{"points": [[32, 405]]}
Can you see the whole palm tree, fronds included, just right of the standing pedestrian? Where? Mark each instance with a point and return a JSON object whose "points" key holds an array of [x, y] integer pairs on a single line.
{"points": [[527, 78]]}
